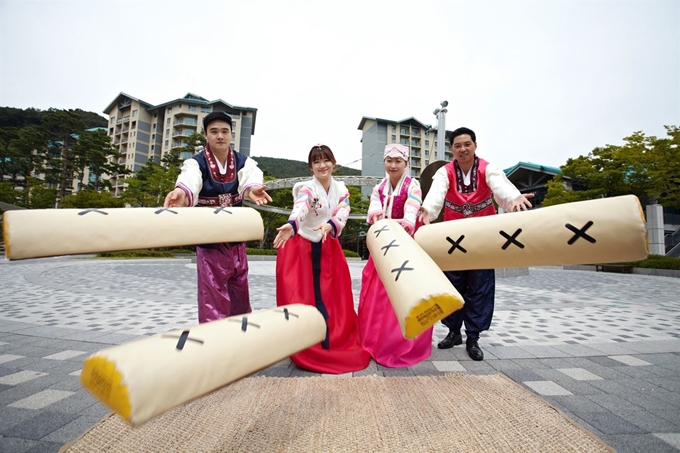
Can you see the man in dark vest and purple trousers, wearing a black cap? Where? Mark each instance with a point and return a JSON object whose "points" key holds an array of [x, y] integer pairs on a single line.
{"points": [[219, 176]]}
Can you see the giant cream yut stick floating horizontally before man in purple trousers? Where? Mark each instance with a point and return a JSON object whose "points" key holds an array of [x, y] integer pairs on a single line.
{"points": [[36, 233]]}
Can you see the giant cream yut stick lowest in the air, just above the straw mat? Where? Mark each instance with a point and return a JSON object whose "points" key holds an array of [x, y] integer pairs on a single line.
{"points": [[144, 378]]}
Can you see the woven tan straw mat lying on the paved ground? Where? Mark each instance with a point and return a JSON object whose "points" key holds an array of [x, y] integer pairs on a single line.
{"points": [[445, 413]]}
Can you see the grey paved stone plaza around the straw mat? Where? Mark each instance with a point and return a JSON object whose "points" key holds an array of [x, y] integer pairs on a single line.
{"points": [[603, 348]]}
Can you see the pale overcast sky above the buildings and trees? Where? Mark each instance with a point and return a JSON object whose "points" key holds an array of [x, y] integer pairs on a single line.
{"points": [[538, 81]]}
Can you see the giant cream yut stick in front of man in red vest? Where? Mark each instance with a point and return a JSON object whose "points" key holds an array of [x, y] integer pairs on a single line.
{"points": [[596, 231]]}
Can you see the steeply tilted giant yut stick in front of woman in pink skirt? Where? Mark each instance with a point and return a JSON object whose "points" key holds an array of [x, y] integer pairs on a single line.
{"points": [[420, 293]]}
